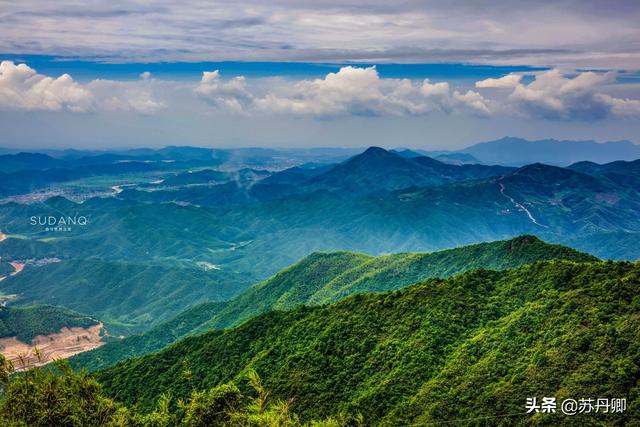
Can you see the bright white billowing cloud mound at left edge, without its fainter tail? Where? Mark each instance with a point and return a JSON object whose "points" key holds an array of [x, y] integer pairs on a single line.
{"points": [[23, 89]]}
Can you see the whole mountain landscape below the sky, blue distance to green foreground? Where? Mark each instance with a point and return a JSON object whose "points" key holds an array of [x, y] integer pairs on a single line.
{"points": [[391, 287]]}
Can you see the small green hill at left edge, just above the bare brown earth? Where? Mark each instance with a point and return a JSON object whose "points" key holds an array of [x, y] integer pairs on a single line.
{"points": [[27, 322]]}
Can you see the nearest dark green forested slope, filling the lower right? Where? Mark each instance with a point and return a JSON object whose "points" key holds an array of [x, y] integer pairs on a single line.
{"points": [[475, 345]]}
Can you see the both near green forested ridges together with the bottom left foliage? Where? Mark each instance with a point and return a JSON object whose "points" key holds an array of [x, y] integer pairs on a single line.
{"points": [[463, 336]]}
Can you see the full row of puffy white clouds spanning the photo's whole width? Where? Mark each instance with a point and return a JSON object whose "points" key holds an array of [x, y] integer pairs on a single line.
{"points": [[351, 91]]}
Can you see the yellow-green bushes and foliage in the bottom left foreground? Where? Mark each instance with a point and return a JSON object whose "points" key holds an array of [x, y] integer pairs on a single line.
{"points": [[63, 398]]}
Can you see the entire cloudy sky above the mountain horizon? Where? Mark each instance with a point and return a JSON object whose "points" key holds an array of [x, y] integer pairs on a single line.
{"points": [[283, 73]]}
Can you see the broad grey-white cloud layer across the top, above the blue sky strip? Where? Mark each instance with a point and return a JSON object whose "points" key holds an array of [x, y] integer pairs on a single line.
{"points": [[573, 33]]}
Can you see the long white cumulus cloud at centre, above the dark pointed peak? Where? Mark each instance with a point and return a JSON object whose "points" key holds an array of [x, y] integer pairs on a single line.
{"points": [[350, 91]]}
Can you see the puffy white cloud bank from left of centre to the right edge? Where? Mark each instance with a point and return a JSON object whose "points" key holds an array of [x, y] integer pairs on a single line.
{"points": [[361, 91]]}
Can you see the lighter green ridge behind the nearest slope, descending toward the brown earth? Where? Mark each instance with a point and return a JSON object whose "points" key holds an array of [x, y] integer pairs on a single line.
{"points": [[323, 278]]}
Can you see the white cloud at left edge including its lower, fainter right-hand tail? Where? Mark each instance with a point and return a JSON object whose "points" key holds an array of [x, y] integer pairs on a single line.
{"points": [[23, 89]]}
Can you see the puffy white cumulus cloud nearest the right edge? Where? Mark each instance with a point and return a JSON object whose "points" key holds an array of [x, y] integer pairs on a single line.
{"points": [[553, 95]]}
